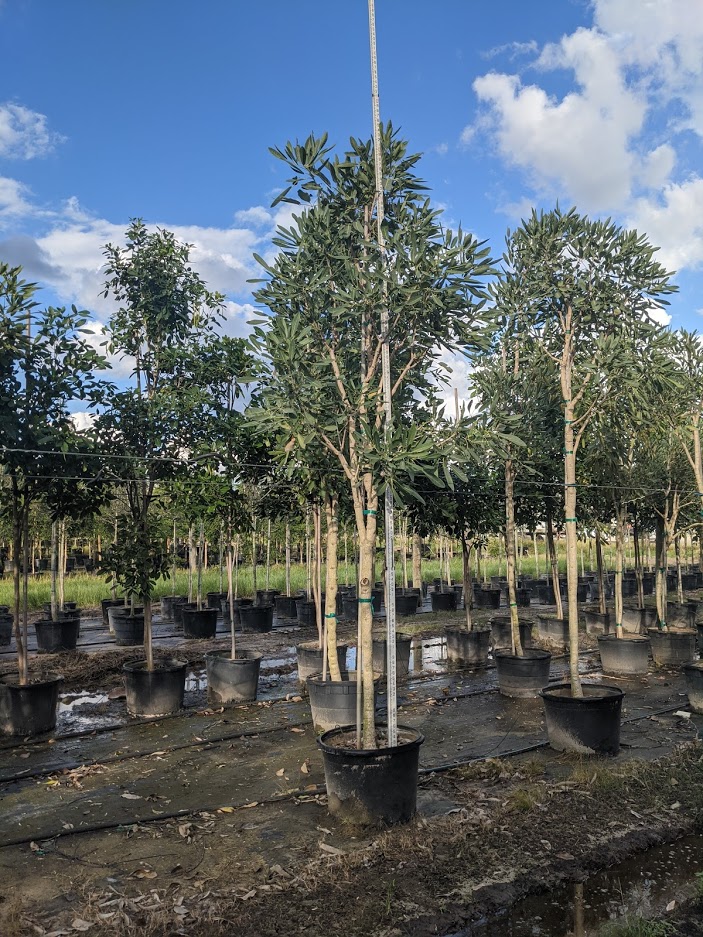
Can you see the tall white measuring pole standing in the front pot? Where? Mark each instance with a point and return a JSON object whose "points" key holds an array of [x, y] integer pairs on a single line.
{"points": [[387, 402]]}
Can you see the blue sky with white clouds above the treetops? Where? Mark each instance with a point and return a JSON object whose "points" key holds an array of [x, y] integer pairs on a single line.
{"points": [[165, 109]]}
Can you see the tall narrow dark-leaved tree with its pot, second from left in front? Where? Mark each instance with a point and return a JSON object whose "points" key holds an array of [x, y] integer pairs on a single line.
{"points": [[164, 312]]}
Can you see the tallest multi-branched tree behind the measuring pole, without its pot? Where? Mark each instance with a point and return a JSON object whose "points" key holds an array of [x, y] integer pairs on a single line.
{"points": [[323, 341]]}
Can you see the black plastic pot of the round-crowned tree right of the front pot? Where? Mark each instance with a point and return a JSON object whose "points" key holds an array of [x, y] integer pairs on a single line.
{"points": [[588, 725]]}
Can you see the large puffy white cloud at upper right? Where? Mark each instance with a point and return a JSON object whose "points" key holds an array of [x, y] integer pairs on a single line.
{"points": [[617, 139]]}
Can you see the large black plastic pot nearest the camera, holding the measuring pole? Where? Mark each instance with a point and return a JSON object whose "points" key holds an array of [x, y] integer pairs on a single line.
{"points": [[371, 787]]}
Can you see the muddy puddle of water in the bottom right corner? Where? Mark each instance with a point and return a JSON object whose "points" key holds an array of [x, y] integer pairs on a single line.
{"points": [[642, 886]]}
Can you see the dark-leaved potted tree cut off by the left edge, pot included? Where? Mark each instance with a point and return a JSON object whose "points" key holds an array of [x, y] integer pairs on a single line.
{"points": [[45, 364]]}
